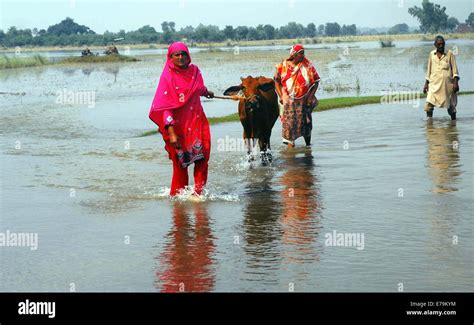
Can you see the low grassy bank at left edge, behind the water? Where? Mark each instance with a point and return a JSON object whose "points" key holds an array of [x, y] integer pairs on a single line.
{"points": [[38, 60]]}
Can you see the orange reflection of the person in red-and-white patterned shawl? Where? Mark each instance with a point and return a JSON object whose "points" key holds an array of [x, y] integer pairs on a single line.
{"points": [[301, 208]]}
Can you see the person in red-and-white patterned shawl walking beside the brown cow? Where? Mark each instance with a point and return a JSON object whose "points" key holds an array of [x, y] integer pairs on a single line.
{"points": [[296, 82]]}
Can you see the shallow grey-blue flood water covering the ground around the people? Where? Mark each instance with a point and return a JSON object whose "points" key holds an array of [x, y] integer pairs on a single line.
{"points": [[81, 177]]}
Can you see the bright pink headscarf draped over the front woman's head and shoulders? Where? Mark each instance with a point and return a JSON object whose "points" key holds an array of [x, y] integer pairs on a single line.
{"points": [[176, 85]]}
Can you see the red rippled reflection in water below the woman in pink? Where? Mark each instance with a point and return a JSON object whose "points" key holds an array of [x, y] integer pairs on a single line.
{"points": [[186, 263]]}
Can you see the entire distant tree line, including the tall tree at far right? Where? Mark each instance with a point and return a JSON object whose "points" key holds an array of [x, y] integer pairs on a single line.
{"points": [[432, 18]]}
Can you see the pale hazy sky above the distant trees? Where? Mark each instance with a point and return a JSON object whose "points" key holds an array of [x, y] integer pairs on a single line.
{"points": [[113, 15]]}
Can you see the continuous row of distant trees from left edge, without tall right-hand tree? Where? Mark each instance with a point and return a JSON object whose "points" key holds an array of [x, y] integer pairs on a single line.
{"points": [[68, 32]]}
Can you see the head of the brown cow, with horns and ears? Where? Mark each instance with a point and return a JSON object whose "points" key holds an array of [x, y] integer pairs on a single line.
{"points": [[251, 89]]}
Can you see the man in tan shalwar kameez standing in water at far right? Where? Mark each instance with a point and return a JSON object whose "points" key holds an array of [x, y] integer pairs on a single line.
{"points": [[441, 80]]}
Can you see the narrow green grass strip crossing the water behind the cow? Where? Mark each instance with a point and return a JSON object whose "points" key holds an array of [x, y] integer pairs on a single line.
{"points": [[324, 105]]}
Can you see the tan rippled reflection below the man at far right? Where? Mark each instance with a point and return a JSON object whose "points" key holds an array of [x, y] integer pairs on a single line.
{"points": [[443, 155]]}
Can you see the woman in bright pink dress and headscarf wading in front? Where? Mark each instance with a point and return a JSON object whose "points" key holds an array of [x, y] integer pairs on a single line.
{"points": [[178, 112]]}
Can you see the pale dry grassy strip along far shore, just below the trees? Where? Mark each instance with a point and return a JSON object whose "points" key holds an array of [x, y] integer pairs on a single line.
{"points": [[290, 41]]}
